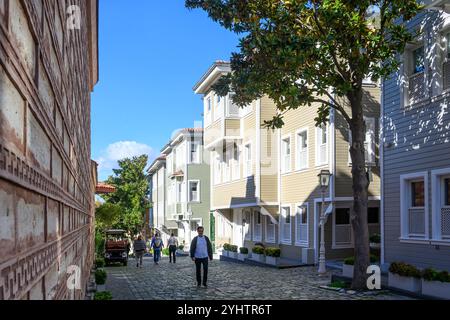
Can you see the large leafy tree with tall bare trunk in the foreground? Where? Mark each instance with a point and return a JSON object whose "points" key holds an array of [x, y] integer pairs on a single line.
{"points": [[302, 53]]}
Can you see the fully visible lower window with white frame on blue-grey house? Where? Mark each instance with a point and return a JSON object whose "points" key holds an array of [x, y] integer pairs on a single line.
{"points": [[413, 206]]}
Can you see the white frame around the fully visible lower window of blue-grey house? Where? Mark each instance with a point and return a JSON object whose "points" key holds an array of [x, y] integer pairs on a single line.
{"points": [[405, 203]]}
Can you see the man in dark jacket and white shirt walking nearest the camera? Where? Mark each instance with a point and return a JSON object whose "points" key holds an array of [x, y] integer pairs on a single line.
{"points": [[201, 250]]}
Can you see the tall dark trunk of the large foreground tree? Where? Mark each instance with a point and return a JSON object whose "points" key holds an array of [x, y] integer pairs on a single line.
{"points": [[360, 193]]}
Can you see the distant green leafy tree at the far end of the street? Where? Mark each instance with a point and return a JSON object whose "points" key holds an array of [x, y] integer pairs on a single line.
{"points": [[132, 190]]}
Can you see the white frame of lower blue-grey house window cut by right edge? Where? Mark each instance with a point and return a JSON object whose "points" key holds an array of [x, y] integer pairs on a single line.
{"points": [[437, 192]]}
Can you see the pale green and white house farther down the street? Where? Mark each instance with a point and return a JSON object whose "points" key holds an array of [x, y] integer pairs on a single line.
{"points": [[180, 186]]}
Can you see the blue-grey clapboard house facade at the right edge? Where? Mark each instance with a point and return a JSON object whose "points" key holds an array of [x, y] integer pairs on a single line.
{"points": [[416, 147]]}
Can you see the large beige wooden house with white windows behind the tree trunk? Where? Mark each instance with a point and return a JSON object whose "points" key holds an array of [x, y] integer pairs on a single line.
{"points": [[264, 182]]}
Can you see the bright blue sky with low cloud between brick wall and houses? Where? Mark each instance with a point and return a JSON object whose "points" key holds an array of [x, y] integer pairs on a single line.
{"points": [[151, 55]]}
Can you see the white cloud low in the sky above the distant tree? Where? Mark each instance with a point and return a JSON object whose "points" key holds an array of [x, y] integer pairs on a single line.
{"points": [[117, 151]]}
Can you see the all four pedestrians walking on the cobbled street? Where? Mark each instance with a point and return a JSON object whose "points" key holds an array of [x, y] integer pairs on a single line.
{"points": [[200, 252]]}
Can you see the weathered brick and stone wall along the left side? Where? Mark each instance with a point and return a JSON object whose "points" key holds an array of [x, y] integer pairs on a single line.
{"points": [[47, 73]]}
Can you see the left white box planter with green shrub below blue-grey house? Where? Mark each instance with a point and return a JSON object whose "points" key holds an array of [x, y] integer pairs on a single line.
{"points": [[405, 277]]}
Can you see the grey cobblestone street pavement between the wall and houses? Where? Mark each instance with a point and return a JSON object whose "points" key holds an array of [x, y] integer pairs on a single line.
{"points": [[226, 280]]}
